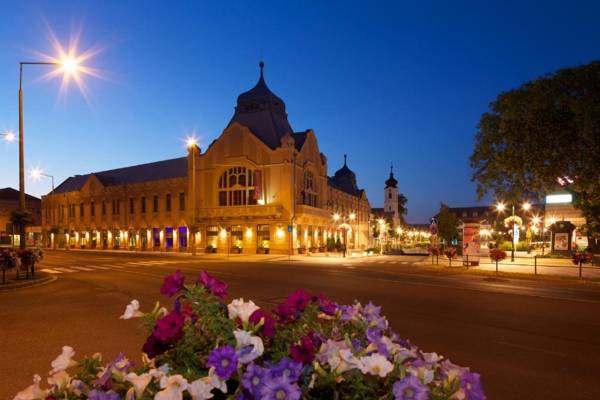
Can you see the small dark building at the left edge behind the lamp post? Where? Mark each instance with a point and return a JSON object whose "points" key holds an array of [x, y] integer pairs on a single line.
{"points": [[9, 234]]}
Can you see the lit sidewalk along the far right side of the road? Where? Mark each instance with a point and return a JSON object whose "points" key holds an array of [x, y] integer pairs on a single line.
{"points": [[556, 267]]}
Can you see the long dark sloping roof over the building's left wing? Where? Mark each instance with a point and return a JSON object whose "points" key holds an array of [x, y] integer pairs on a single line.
{"points": [[159, 170]]}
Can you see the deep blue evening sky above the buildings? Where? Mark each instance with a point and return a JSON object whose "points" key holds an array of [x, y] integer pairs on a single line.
{"points": [[381, 81]]}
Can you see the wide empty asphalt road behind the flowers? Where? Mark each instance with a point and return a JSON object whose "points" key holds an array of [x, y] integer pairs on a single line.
{"points": [[529, 339]]}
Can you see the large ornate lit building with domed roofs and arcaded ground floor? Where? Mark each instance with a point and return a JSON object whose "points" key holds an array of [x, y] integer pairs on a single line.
{"points": [[258, 188]]}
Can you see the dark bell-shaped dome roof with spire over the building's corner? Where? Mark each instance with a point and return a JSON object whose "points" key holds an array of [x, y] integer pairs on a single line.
{"points": [[261, 111]]}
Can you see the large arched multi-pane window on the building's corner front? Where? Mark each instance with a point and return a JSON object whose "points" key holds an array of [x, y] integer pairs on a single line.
{"points": [[236, 187]]}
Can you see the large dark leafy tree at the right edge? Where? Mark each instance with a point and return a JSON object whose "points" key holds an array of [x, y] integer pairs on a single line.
{"points": [[541, 135]]}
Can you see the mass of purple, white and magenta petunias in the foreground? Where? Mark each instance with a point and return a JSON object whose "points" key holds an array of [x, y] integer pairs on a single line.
{"points": [[309, 347]]}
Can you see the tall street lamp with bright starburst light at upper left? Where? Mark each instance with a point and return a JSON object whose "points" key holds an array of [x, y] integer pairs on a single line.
{"points": [[70, 66]]}
